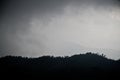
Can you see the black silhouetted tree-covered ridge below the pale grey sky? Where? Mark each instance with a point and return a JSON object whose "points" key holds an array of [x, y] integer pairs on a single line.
{"points": [[83, 66]]}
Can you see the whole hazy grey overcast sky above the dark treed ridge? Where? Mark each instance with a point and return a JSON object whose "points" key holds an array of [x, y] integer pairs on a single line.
{"points": [[59, 27]]}
